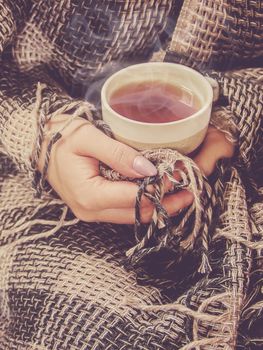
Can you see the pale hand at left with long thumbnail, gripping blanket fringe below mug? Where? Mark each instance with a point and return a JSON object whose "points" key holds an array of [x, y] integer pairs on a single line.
{"points": [[74, 174]]}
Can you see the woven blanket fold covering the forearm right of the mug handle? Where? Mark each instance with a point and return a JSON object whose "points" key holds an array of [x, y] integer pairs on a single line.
{"points": [[239, 112]]}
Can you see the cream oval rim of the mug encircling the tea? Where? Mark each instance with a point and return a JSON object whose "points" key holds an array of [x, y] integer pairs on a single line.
{"points": [[134, 66]]}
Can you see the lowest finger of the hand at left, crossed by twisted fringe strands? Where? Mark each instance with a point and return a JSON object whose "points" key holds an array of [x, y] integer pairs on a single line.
{"points": [[172, 204]]}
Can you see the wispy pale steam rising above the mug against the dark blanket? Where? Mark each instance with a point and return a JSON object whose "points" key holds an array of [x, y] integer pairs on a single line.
{"points": [[103, 45]]}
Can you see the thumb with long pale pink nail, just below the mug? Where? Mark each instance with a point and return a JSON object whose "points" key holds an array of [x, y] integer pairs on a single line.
{"points": [[116, 155]]}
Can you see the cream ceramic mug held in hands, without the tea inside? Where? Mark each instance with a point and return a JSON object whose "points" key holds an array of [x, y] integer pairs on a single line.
{"points": [[184, 135]]}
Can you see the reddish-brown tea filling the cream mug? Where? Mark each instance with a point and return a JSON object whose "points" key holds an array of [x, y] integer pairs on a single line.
{"points": [[154, 102]]}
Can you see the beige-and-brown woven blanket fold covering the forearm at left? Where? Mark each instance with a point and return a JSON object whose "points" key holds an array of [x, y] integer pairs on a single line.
{"points": [[27, 101]]}
